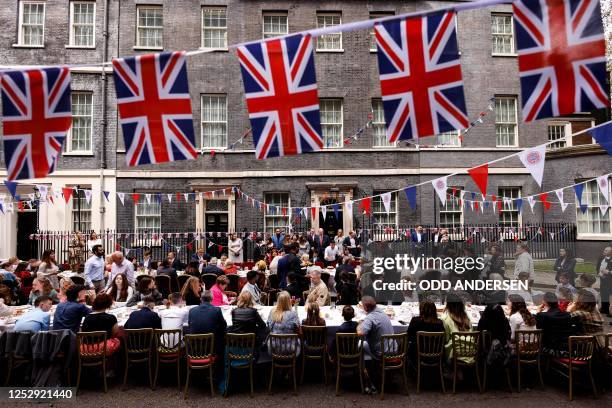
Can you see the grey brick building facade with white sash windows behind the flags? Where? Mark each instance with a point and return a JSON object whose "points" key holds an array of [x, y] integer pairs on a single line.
{"points": [[88, 31]]}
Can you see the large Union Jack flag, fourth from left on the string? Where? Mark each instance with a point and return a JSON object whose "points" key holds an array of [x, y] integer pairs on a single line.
{"points": [[420, 76]]}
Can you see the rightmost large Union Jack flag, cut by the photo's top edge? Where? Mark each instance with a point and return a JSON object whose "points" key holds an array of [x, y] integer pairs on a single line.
{"points": [[561, 55]]}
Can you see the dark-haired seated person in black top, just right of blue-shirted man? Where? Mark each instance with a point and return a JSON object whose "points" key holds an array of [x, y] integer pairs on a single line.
{"points": [[100, 320]]}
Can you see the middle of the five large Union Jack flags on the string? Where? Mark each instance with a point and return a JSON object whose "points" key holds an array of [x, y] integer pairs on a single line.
{"points": [[281, 94]]}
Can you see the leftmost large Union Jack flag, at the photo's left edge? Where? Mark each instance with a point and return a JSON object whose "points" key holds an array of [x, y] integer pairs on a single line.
{"points": [[36, 116]]}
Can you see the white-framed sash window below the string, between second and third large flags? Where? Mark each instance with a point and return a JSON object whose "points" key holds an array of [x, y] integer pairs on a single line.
{"points": [[214, 121]]}
